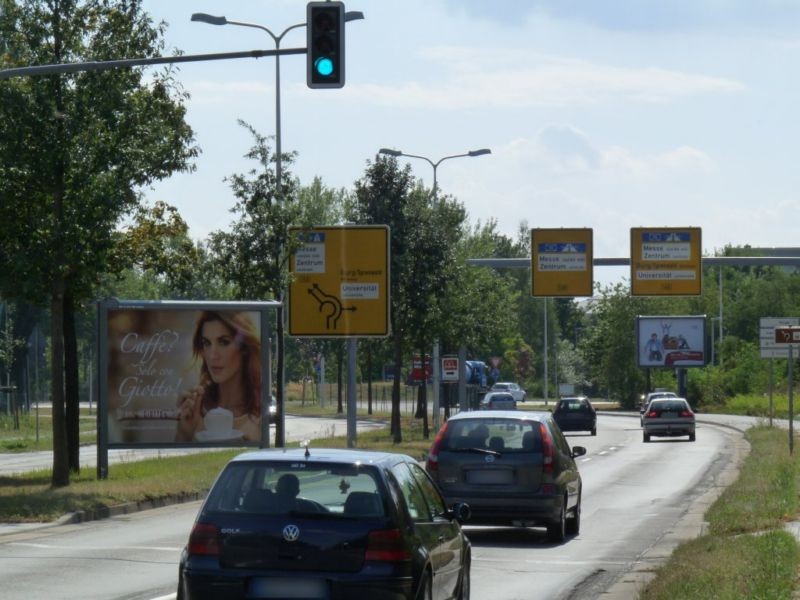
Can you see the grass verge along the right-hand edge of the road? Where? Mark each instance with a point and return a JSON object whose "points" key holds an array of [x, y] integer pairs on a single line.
{"points": [[746, 553]]}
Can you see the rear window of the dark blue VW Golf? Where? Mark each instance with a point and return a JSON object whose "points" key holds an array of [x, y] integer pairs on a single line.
{"points": [[261, 488]]}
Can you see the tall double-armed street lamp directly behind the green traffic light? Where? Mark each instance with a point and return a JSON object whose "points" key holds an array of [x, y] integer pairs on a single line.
{"points": [[213, 20]]}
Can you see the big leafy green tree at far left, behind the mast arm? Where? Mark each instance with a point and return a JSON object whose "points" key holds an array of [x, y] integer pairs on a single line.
{"points": [[74, 150]]}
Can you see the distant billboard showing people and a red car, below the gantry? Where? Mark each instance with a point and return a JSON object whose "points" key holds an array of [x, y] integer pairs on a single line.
{"points": [[671, 341]]}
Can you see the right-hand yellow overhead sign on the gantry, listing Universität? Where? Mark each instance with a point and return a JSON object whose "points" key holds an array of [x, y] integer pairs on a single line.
{"points": [[666, 261]]}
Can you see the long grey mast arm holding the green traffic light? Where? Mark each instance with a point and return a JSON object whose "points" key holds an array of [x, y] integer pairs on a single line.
{"points": [[138, 62]]}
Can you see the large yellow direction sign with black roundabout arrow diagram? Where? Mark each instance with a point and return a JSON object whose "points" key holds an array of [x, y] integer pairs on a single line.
{"points": [[340, 284]]}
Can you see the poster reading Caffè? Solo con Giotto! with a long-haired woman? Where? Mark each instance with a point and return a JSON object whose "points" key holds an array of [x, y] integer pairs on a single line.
{"points": [[183, 376]]}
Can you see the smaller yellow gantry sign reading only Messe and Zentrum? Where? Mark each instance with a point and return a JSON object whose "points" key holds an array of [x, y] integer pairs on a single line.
{"points": [[561, 262]]}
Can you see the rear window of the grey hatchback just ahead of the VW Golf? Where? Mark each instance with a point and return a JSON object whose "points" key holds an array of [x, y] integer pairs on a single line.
{"points": [[501, 435]]}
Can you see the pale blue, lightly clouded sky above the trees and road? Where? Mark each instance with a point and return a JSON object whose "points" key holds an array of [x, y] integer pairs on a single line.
{"points": [[605, 114]]}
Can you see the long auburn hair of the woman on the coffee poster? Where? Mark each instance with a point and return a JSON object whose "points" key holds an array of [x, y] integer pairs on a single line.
{"points": [[246, 336]]}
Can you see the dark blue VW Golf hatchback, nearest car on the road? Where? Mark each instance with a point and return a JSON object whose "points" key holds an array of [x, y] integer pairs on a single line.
{"points": [[332, 524]]}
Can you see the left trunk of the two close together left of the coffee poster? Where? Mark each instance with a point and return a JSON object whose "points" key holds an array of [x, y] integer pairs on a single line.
{"points": [[60, 459]]}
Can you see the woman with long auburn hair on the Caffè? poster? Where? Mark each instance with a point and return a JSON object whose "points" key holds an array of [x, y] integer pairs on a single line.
{"points": [[229, 347]]}
